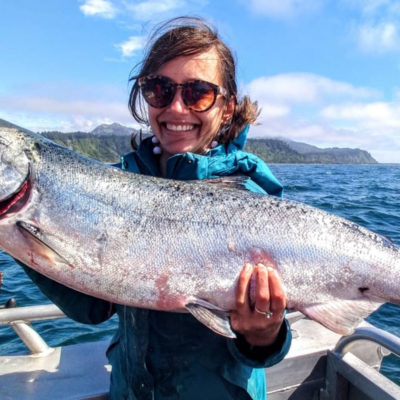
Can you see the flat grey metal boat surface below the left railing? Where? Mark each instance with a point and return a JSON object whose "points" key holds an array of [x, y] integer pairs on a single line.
{"points": [[72, 372]]}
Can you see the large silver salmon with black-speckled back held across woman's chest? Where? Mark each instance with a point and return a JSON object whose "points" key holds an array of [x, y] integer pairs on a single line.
{"points": [[179, 246]]}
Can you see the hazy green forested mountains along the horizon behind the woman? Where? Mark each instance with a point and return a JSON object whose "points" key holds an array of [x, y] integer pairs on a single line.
{"points": [[107, 142]]}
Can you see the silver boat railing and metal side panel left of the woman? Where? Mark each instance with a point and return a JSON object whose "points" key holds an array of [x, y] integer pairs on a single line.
{"points": [[79, 371]]}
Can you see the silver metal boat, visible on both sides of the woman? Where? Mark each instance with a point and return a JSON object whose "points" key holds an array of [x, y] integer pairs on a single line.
{"points": [[320, 365]]}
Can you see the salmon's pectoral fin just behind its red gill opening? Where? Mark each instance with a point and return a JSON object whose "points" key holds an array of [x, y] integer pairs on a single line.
{"points": [[36, 241]]}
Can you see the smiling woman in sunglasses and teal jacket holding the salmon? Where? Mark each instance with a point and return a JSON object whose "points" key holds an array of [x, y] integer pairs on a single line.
{"points": [[186, 90]]}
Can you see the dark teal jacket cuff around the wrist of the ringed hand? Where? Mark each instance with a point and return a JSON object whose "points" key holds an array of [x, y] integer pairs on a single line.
{"points": [[262, 357]]}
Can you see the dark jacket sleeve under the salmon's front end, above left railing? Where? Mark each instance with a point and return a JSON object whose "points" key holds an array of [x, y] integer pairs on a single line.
{"points": [[77, 306]]}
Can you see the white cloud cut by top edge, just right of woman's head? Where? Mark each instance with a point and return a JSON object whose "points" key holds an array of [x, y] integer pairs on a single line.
{"points": [[282, 9]]}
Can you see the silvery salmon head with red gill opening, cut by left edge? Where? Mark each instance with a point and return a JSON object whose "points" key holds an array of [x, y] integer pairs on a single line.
{"points": [[15, 169]]}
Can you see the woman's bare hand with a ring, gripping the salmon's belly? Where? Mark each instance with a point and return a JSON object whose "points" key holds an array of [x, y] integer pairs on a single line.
{"points": [[260, 322]]}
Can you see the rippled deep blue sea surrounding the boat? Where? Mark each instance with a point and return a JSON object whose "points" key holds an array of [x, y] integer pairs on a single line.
{"points": [[366, 194]]}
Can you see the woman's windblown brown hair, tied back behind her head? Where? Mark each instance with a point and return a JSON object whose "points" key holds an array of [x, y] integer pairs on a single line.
{"points": [[184, 36]]}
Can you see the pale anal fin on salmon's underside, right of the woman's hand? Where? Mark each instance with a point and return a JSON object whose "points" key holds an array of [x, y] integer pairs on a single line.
{"points": [[341, 316]]}
